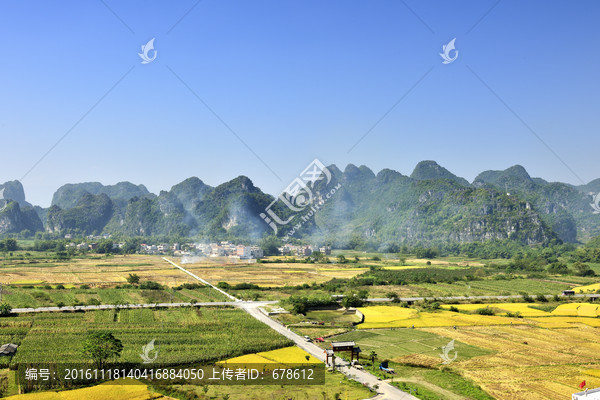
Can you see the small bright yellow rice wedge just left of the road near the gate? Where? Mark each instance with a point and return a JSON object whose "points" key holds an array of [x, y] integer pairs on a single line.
{"points": [[274, 359]]}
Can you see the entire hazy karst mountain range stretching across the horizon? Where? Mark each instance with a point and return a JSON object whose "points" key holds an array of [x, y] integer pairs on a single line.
{"points": [[430, 206]]}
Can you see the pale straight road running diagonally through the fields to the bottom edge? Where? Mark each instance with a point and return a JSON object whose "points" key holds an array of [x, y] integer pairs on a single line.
{"points": [[385, 390]]}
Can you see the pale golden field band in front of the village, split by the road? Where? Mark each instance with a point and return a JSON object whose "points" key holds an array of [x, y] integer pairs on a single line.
{"points": [[110, 271]]}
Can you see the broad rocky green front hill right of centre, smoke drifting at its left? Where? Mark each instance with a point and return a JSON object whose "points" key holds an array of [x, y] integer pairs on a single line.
{"points": [[392, 208]]}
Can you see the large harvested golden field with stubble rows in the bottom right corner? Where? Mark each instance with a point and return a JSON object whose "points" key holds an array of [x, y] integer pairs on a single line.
{"points": [[528, 362]]}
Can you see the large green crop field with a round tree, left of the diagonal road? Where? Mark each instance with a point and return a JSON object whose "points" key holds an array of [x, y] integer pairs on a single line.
{"points": [[184, 335]]}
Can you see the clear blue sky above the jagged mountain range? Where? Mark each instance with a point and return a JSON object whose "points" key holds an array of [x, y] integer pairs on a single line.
{"points": [[295, 80]]}
